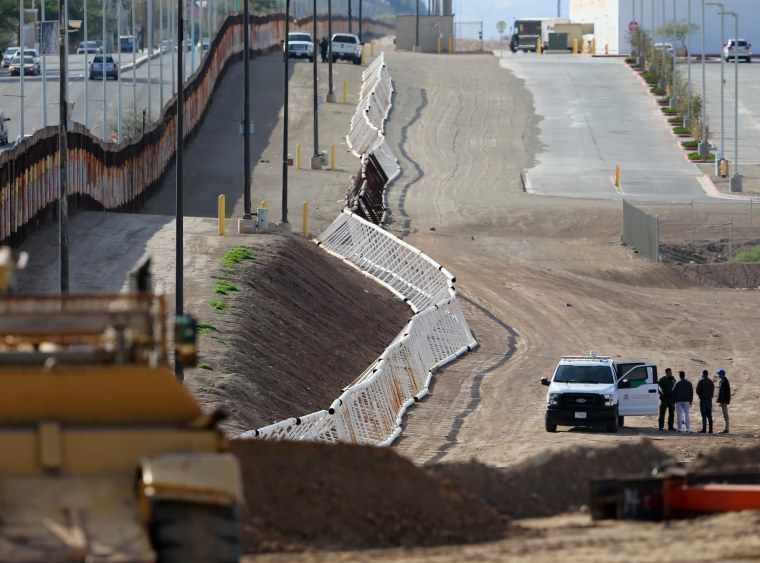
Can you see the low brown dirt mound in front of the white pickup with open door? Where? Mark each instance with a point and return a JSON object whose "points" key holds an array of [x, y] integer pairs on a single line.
{"points": [[550, 483]]}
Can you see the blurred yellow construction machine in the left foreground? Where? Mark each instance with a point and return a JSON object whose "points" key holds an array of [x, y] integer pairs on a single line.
{"points": [[106, 456]]}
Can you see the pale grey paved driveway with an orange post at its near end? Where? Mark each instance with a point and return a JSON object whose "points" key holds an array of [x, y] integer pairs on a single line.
{"points": [[595, 114]]}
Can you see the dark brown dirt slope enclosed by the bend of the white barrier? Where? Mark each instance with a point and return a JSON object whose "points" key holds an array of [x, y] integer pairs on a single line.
{"points": [[302, 326]]}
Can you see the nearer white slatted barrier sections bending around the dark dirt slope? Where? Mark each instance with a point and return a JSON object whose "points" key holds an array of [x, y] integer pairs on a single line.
{"points": [[369, 411]]}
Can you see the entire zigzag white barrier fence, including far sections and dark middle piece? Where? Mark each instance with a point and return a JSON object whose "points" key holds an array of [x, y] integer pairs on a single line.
{"points": [[370, 410]]}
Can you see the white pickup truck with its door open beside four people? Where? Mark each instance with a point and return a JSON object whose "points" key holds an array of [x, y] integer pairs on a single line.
{"points": [[594, 390]]}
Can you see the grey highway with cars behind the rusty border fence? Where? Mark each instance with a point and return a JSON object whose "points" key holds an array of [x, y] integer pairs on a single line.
{"points": [[134, 93]]}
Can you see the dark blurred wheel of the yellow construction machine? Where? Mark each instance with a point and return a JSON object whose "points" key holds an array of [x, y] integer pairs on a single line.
{"points": [[183, 533]]}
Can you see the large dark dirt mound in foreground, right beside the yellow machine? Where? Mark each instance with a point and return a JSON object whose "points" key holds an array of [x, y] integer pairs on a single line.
{"points": [[306, 495]]}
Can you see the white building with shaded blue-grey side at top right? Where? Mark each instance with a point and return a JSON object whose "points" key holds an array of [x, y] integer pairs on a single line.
{"points": [[611, 19]]}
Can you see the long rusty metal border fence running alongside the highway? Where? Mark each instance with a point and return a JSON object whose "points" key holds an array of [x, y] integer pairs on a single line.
{"points": [[108, 177]]}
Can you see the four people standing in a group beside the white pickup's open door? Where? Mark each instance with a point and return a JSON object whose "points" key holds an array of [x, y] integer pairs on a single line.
{"points": [[679, 396]]}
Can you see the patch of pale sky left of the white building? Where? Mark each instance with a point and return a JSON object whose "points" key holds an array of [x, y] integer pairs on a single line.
{"points": [[492, 11]]}
